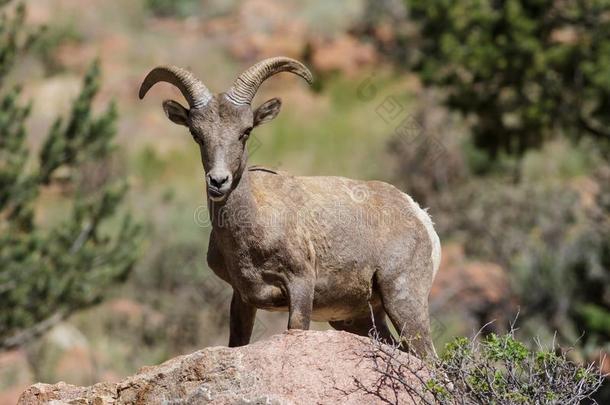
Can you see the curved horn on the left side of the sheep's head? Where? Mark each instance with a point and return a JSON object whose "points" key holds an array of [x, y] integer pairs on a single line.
{"points": [[192, 89]]}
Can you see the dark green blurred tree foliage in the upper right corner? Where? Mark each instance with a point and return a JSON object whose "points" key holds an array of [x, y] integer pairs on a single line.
{"points": [[526, 71]]}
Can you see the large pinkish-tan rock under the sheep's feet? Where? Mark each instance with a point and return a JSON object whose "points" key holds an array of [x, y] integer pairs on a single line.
{"points": [[296, 367]]}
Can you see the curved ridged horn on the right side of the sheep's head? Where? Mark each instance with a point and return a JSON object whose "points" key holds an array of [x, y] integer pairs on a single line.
{"points": [[246, 85]]}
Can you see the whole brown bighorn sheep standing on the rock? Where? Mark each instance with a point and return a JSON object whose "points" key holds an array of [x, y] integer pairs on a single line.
{"points": [[322, 248]]}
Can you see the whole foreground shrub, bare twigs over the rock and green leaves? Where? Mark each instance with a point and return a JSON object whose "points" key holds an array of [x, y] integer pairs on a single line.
{"points": [[492, 370]]}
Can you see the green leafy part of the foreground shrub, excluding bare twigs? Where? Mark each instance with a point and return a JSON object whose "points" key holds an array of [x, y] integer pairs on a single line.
{"points": [[502, 370]]}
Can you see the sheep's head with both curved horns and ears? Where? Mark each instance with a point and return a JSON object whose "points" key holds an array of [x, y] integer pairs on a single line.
{"points": [[221, 123]]}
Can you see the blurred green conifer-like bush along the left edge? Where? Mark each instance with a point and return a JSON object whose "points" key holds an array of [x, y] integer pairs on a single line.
{"points": [[47, 272]]}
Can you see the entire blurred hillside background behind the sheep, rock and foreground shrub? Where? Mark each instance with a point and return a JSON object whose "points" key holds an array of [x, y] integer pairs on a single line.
{"points": [[494, 114]]}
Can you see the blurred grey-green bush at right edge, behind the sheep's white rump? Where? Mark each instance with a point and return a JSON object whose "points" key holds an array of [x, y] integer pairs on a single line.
{"points": [[553, 237]]}
